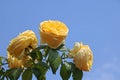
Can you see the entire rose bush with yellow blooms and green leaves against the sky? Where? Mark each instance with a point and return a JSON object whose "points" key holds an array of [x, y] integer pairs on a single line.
{"points": [[26, 58]]}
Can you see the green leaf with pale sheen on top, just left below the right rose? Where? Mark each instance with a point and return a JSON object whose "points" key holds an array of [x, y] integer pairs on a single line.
{"points": [[65, 71]]}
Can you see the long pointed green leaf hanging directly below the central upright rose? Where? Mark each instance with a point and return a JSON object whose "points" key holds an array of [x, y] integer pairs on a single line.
{"points": [[54, 59]]}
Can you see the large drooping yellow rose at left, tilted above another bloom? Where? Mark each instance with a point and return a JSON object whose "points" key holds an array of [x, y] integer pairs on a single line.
{"points": [[26, 40]]}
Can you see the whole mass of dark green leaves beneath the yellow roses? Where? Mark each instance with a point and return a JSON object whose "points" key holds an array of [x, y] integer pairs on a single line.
{"points": [[43, 59]]}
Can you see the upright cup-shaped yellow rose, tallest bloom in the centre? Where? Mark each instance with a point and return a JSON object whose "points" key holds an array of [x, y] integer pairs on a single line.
{"points": [[53, 33]]}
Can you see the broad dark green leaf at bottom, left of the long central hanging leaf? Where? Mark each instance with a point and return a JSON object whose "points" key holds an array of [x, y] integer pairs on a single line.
{"points": [[40, 70]]}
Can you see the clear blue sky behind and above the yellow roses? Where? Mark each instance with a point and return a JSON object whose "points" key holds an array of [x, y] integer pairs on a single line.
{"points": [[94, 22]]}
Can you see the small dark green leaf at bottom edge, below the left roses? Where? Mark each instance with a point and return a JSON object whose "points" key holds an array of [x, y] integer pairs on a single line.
{"points": [[27, 74]]}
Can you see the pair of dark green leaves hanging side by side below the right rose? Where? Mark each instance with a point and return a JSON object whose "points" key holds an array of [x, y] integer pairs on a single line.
{"points": [[69, 68]]}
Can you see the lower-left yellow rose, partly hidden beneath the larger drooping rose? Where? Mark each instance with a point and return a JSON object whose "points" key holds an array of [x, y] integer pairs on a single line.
{"points": [[14, 62]]}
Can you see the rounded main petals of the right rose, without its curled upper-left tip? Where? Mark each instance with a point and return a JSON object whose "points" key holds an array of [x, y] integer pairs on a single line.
{"points": [[84, 58]]}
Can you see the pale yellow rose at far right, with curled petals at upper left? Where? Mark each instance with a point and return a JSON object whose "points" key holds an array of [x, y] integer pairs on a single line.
{"points": [[82, 55]]}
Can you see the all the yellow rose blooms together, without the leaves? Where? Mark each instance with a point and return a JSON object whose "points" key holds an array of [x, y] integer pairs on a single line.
{"points": [[53, 33]]}
